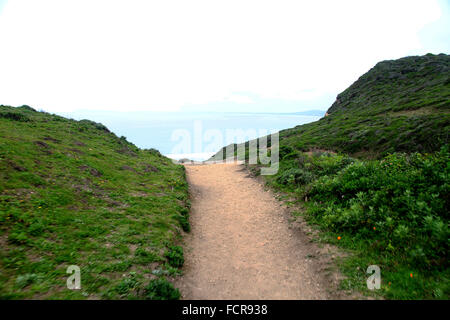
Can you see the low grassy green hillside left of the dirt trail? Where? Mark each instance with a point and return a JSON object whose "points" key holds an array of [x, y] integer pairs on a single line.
{"points": [[73, 193]]}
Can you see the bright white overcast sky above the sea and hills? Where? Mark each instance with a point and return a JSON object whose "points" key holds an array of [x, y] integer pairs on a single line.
{"points": [[271, 56]]}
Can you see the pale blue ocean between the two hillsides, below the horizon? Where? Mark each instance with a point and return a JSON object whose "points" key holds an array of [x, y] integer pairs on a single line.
{"points": [[196, 135]]}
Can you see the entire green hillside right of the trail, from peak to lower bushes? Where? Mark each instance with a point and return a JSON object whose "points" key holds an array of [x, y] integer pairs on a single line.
{"points": [[374, 176]]}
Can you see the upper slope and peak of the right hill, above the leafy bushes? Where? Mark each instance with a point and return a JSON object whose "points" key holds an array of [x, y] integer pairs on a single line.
{"points": [[397, 106]]}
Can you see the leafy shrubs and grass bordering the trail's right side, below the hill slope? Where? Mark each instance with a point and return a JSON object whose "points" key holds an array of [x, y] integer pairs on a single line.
{"points": [[392, 212]]}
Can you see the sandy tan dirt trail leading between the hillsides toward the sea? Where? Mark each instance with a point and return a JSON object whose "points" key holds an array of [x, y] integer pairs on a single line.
{"points": [[242, 245]]}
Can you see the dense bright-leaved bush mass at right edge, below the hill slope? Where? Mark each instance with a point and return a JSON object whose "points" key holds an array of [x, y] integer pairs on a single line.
{"points": [[401, 201]]}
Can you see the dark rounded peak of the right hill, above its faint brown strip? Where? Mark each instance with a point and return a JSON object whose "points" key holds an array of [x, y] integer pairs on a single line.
{"points": [[404, 84]]}
